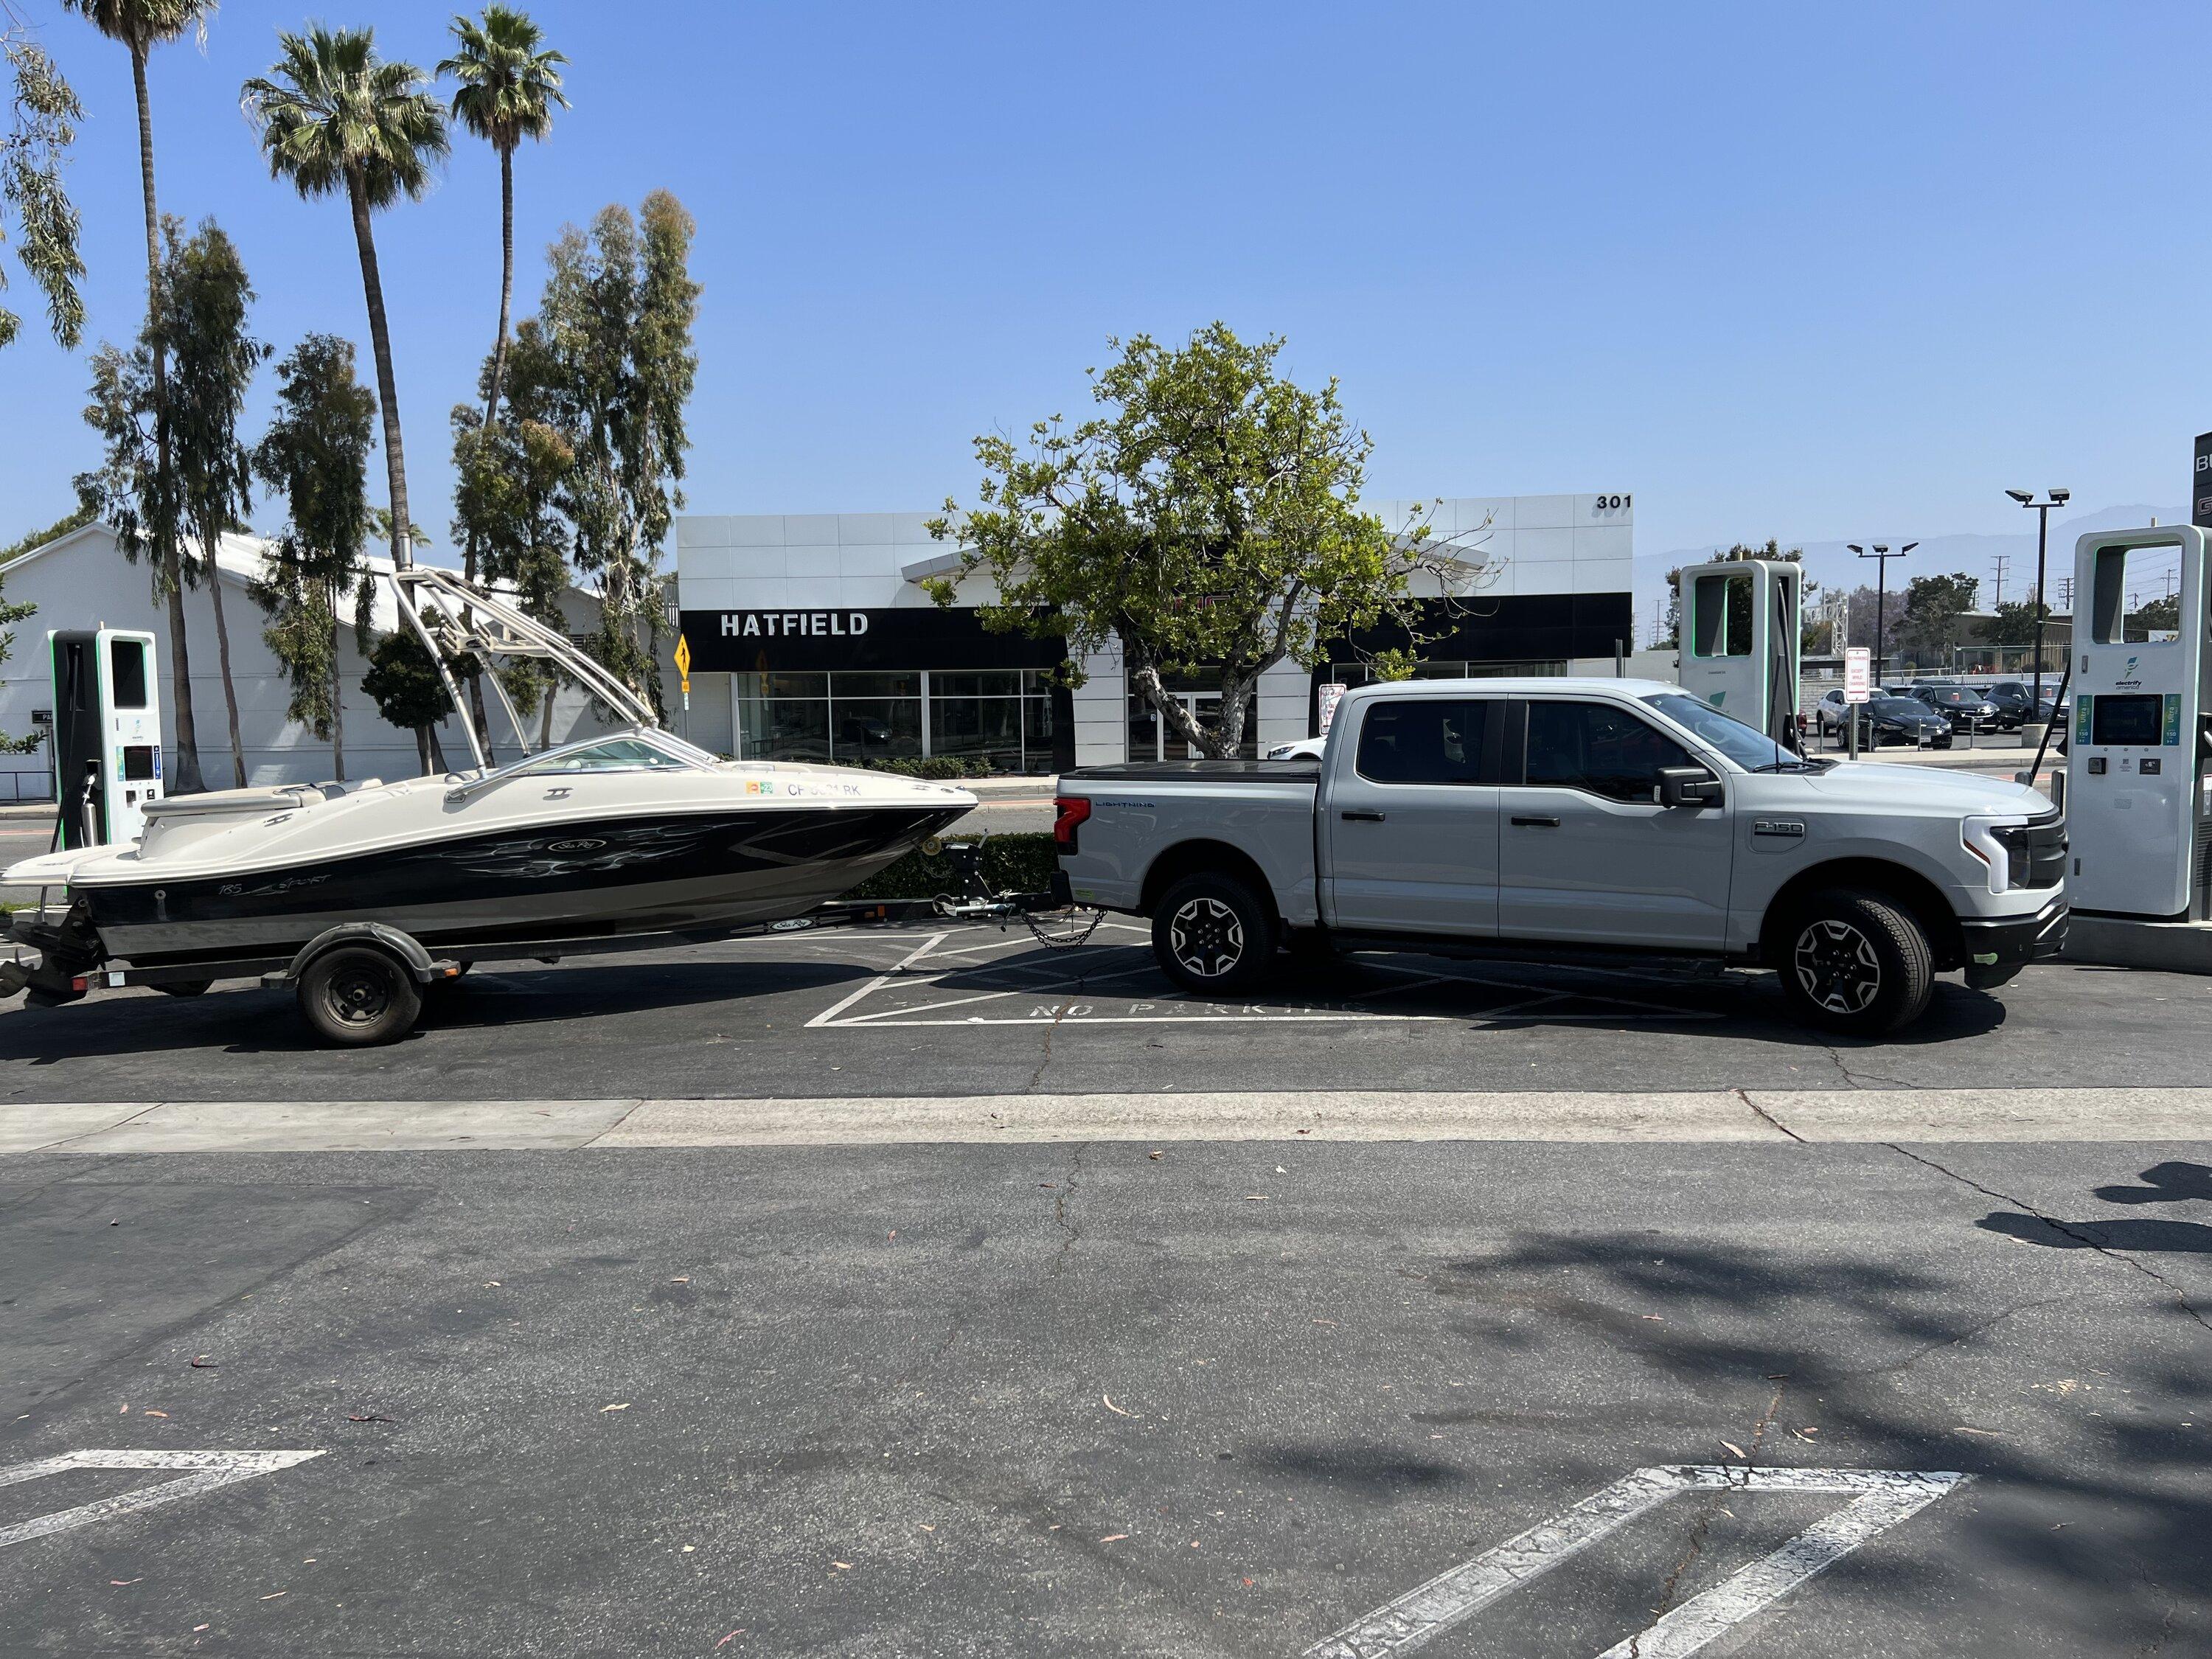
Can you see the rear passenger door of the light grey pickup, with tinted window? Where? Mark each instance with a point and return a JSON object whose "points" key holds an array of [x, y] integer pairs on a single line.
{"points": [[1410, 820]]}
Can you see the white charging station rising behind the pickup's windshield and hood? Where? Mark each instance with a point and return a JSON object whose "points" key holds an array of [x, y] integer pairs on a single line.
{"points": [[1742, 640]]}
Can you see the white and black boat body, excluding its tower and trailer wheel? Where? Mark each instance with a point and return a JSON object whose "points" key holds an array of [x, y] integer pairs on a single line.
{"points": [[634, 833]]}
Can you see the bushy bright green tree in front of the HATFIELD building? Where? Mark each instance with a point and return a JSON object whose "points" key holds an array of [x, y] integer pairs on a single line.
{"points": [[1209, 521]]}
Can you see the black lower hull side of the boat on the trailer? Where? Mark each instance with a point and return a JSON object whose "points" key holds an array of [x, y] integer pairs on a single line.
{"points": [[585, 879]]}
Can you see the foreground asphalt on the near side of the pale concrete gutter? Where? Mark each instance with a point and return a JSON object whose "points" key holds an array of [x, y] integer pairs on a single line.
{"points": [[1089, 1401]]}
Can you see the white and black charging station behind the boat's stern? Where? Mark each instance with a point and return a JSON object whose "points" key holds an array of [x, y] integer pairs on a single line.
{"points": [[107, 733]]}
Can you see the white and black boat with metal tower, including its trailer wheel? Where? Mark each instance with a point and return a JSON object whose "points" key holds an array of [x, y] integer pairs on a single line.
{"points": [[359, 895]]}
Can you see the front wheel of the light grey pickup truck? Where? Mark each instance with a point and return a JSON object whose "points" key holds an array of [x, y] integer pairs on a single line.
{"points": [[1857, 963]]}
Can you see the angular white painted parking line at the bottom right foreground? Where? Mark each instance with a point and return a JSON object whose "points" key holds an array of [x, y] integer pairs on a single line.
{"points": [[1884, 1499]]}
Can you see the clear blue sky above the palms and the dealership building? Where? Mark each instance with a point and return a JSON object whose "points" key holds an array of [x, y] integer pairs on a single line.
{"points": [[1777, 271]]}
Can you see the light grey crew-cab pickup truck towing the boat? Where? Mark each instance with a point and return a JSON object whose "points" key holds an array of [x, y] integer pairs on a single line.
{"points": [[1536, 817]]}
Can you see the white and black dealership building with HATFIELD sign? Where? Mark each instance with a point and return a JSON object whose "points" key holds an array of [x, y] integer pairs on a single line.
{"points": [[813, 638]]}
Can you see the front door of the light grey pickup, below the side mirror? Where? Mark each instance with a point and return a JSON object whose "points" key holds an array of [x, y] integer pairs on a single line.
{"points": [[1587, 853]]}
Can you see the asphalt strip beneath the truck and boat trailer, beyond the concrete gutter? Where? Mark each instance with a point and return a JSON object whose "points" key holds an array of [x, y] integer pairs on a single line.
{"points": [[990, 1012]]}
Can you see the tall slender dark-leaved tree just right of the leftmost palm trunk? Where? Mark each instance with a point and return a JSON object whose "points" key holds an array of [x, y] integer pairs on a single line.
{"points": [[205, 302]]}
